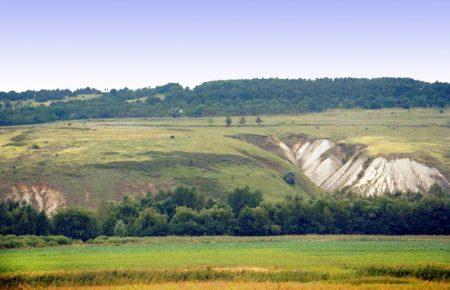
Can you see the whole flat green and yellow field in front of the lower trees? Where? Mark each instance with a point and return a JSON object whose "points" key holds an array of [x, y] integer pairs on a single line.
{"points": [[340, 260]]}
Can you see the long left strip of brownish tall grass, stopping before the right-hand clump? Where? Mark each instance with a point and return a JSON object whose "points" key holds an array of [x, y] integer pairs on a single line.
{"points": [[92, 278]]}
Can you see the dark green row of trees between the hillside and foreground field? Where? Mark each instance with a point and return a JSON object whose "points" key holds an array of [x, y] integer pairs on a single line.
{"points": [[184, 211]]}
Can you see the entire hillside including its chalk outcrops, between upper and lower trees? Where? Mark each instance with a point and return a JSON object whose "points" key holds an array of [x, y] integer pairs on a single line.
{"points": [[85, 162]]}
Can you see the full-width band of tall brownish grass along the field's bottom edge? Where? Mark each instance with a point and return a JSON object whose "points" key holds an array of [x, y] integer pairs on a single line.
{"points": [[104, 278]]}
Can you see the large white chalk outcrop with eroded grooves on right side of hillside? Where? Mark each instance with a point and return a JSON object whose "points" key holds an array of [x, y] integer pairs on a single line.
{"points": [[334, 166]]}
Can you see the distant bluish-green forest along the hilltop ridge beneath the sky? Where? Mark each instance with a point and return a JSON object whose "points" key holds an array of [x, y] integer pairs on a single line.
{"points": [[231, 97]]}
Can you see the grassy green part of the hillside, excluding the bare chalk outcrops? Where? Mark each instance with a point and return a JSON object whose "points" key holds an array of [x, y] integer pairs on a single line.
{"points": [[103, 159]]}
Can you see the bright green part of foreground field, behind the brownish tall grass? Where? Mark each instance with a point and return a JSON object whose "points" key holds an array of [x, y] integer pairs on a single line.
{"points": [[334, 258]]}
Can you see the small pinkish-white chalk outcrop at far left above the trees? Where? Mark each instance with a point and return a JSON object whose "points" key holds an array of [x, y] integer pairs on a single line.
{"points": [[42, 197]]}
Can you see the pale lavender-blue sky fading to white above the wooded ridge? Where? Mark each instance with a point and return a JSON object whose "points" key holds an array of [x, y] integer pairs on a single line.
{"points": [[133, 43]]}
